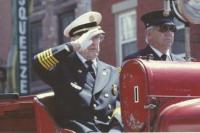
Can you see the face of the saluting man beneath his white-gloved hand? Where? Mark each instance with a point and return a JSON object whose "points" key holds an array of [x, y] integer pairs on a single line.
{"points": [[93, 50]]}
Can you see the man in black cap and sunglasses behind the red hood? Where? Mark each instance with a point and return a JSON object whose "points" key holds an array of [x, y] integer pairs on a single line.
{"points": [[160, 31]]}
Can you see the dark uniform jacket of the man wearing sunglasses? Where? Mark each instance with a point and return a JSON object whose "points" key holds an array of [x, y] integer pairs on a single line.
{"points": [[149, 51]]}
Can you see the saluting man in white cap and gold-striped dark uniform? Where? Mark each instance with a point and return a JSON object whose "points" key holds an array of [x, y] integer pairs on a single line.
{"points": [[86, 89]]}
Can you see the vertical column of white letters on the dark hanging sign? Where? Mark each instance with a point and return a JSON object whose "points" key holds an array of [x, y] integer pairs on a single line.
{"points": [[23, 46]]}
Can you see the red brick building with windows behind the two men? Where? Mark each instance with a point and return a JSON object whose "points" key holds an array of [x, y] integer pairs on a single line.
{"points": [[121, 22]]}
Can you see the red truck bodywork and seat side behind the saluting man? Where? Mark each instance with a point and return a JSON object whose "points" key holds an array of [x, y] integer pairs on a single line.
{"points": [[28, 114]]}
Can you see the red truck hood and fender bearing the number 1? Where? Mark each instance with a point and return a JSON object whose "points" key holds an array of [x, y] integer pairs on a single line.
{"points": [[160, 96]]}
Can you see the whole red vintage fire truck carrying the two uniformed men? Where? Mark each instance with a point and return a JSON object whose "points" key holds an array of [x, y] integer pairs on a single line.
{"points": [[155, 95]]}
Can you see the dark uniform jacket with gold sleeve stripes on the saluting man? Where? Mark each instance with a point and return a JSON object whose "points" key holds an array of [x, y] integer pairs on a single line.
{"points": [[82, 103]]}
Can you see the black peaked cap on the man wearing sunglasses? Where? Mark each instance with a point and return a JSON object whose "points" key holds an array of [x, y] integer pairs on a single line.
{"points": [[157, 18]]}
